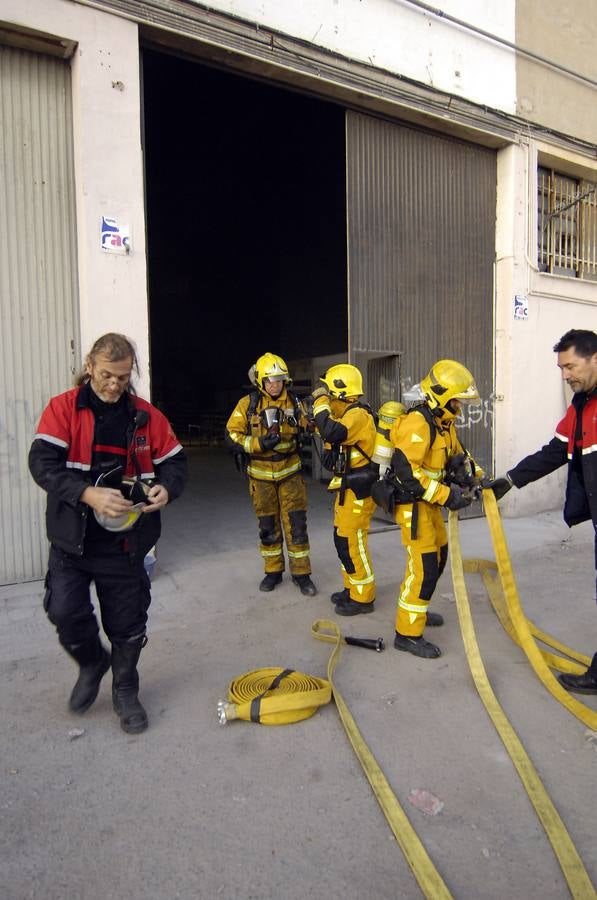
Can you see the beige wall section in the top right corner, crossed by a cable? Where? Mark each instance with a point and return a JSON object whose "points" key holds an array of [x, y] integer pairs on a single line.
{"points": [[565, 33]]}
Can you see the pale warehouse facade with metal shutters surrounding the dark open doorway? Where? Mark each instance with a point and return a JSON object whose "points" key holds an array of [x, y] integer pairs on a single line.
{"points": [[470, 164]]}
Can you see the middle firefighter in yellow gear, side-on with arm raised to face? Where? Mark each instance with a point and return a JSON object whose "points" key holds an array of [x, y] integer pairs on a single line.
{"points": [[348, 431]]}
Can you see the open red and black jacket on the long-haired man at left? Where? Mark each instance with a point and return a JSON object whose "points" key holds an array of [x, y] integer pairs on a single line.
{"points": [[60, 460]]}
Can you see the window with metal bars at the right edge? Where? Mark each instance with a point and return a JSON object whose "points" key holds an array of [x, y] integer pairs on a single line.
{"points": [[567, 225]]}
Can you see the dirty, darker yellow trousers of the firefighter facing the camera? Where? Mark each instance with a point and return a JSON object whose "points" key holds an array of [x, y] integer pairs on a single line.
{"points": [[281, 507]]}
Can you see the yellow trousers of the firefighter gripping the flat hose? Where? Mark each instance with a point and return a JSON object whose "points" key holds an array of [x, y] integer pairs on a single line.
{"points": [[426, 557]]}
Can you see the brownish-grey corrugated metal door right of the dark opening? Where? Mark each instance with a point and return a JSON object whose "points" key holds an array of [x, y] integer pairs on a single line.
{"points": [[421, 247]]}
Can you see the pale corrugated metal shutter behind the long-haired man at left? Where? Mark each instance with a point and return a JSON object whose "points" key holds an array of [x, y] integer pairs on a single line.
{"points": [[38, 290]]}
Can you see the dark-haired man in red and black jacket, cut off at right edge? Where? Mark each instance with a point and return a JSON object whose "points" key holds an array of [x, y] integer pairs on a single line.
{"points": [[575, 443]]}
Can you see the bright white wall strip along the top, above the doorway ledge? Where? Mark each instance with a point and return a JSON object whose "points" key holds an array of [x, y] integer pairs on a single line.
{"points": [[399, 37]]}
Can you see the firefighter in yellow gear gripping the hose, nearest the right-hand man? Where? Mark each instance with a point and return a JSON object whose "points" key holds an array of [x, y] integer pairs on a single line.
{"points": [[424, 440]]}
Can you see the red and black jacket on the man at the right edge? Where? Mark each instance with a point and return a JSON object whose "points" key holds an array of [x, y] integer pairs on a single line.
{"points": [[575, 442]]}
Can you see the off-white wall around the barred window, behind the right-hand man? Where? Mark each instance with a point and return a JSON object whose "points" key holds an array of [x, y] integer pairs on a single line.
{"points": [[531, 397]]}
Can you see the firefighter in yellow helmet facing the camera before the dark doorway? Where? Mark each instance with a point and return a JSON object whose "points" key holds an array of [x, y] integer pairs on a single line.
{"points": [[264, 432]]}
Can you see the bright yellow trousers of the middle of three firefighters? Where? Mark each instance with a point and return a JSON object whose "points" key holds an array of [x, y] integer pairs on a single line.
{"points": [[351, 539]]}
